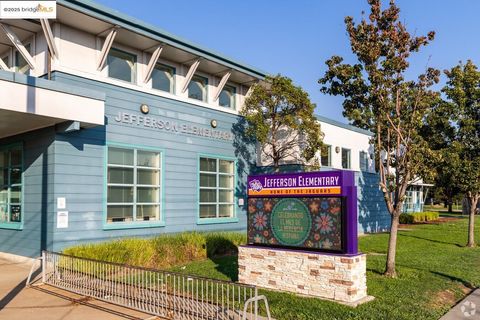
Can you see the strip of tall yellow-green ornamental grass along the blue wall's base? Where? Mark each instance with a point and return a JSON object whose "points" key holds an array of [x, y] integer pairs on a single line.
{"points": [[163, 251]]}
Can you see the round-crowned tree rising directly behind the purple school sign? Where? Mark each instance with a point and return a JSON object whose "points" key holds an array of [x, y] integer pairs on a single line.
{"points": [[280, 116]]}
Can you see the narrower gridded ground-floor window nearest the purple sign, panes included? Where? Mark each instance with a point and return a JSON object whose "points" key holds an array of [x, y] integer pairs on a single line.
{"points": [[216, 188]]}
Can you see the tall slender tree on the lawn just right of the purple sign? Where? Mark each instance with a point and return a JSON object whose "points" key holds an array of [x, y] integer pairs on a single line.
{"points": [[379, 98]]}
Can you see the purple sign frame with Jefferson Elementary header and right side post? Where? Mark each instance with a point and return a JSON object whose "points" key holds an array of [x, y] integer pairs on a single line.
{"points": [[337, 183]]}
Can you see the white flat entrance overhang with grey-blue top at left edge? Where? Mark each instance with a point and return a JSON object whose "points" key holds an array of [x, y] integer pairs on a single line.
{"points": [[29, 103]]}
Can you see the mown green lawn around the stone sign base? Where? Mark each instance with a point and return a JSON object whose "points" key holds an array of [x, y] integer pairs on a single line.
{"points": [[435, 270]]}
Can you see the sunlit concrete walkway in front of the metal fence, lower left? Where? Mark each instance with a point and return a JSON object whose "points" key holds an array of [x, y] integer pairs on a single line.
{"points": [[48, 303]]}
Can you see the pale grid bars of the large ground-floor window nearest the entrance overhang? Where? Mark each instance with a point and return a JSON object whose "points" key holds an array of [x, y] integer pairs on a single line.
{"points": [[135, 185]]}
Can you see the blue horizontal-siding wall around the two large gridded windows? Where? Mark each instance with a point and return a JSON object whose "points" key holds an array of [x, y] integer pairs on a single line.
{"points": [[79, 164]]}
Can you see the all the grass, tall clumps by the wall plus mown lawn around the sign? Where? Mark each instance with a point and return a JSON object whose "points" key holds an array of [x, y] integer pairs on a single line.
{"points": [[435, 269]]}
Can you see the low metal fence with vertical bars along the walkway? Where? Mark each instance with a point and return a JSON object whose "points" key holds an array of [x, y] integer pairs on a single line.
{"points": [[165, 294]]}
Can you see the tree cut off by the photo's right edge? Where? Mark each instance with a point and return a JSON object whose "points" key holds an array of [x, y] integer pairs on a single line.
{"points": [[463, 92]]}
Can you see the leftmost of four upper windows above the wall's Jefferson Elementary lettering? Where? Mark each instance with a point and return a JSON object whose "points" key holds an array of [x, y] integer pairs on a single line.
{"points": [[121, 65]]}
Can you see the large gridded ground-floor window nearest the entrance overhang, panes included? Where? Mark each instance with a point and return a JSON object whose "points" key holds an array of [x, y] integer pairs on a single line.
{"points": [[133, 185]]}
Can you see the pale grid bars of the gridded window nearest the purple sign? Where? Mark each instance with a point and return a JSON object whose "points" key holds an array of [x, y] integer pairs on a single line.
{"points": [[217, 189]]}
